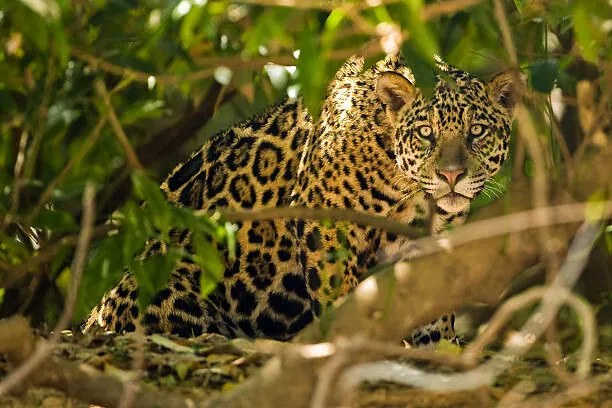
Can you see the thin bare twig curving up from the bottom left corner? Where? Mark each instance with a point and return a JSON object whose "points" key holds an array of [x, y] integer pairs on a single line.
{"points": [[43, 349]]}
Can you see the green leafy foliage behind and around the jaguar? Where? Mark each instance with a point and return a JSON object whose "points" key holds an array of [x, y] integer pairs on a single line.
{"points": [[160, 61]]}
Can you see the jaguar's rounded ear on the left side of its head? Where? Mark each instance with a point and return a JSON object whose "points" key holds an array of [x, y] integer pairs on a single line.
{"points": [[395, 91]]}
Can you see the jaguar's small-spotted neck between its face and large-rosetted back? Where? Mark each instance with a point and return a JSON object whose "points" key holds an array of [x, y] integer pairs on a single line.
{"points": [[349, 161]]}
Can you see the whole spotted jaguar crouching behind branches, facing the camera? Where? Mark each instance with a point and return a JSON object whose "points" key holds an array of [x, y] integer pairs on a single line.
{"points": [[379, 146]]}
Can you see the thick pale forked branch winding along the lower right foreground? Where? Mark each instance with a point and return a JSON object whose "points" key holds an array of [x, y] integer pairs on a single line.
{"points": [[552, 298]]}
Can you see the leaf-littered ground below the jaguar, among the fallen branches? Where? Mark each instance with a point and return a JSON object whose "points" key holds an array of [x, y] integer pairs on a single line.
{"points": [[210, 364]]}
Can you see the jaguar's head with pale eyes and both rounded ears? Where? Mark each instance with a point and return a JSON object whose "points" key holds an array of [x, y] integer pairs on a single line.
{"points": [[452, 143]]}
